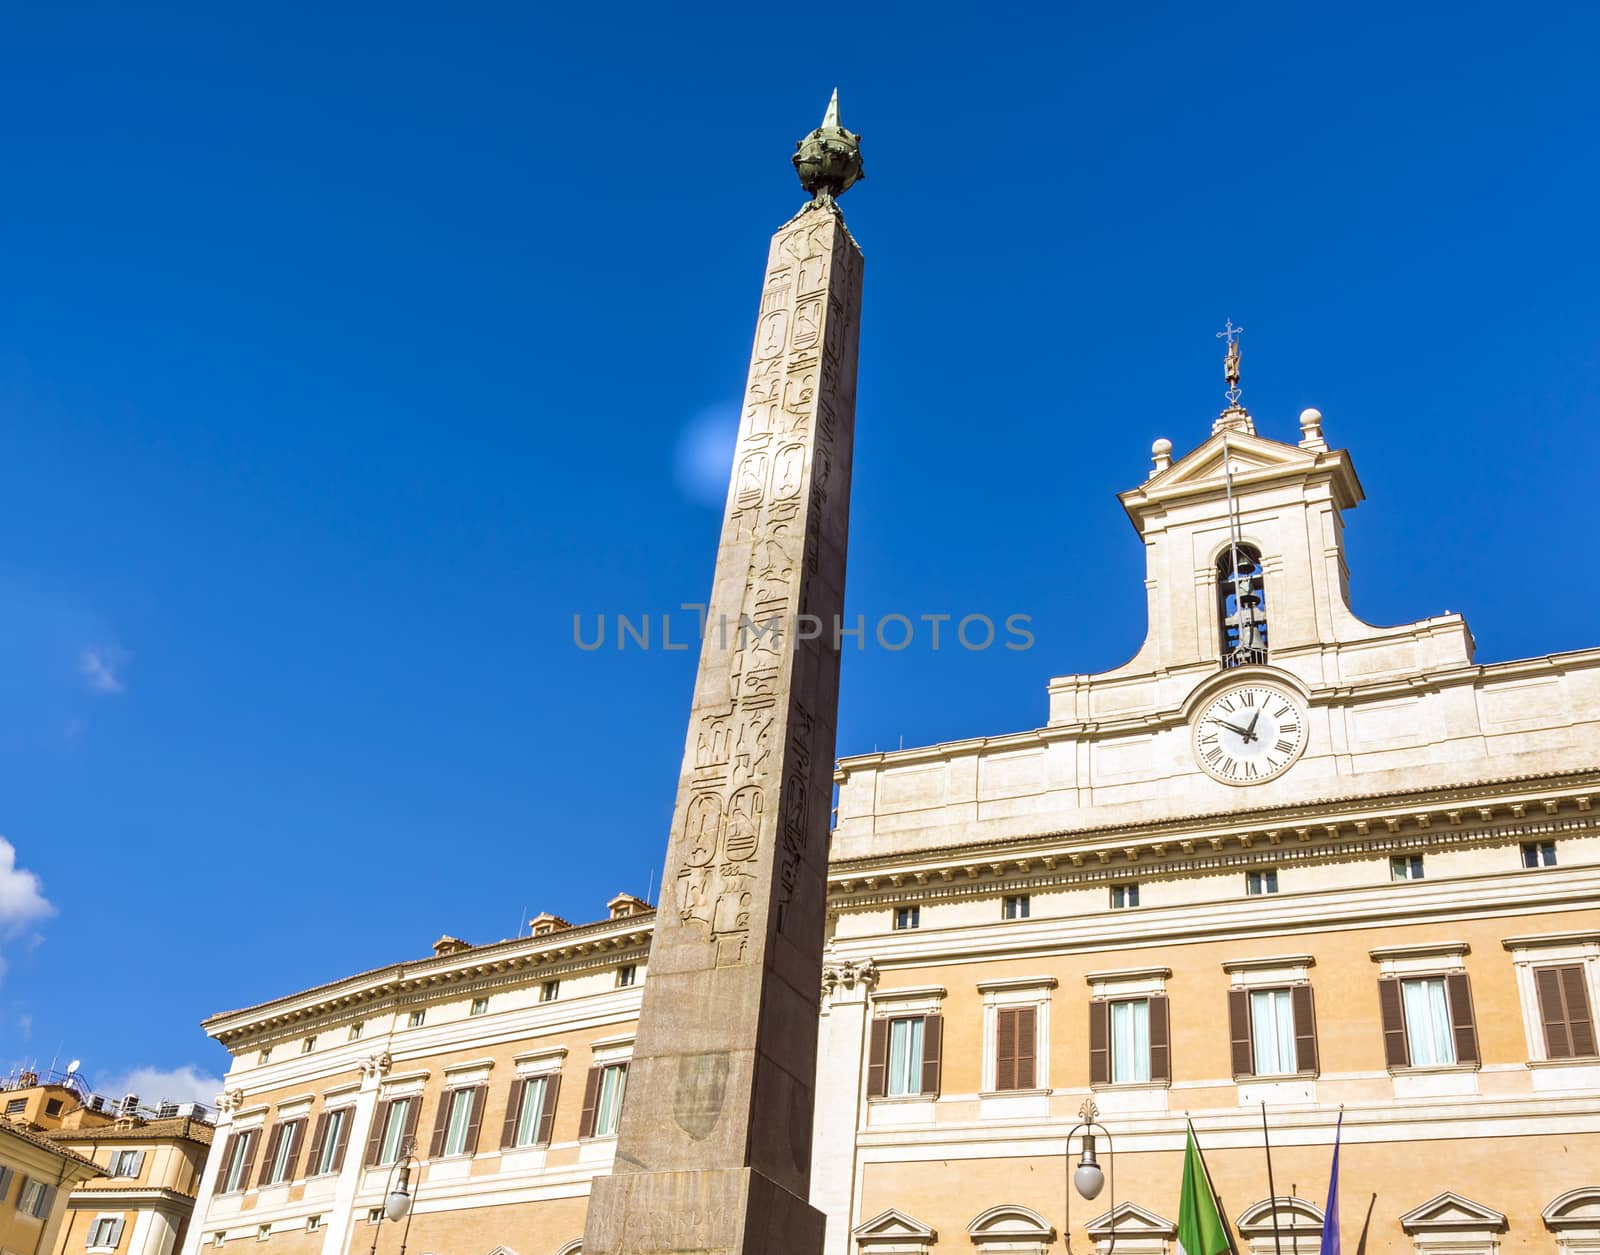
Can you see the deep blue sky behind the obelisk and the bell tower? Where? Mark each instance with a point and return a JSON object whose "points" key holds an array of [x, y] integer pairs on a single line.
{"points": [[346, 353]]}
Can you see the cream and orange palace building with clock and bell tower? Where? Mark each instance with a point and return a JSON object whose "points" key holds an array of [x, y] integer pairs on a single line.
{"points": [[1282, 862]]}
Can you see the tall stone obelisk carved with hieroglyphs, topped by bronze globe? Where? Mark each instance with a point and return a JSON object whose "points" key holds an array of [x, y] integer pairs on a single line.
{"points": [[714, 1150]]}
